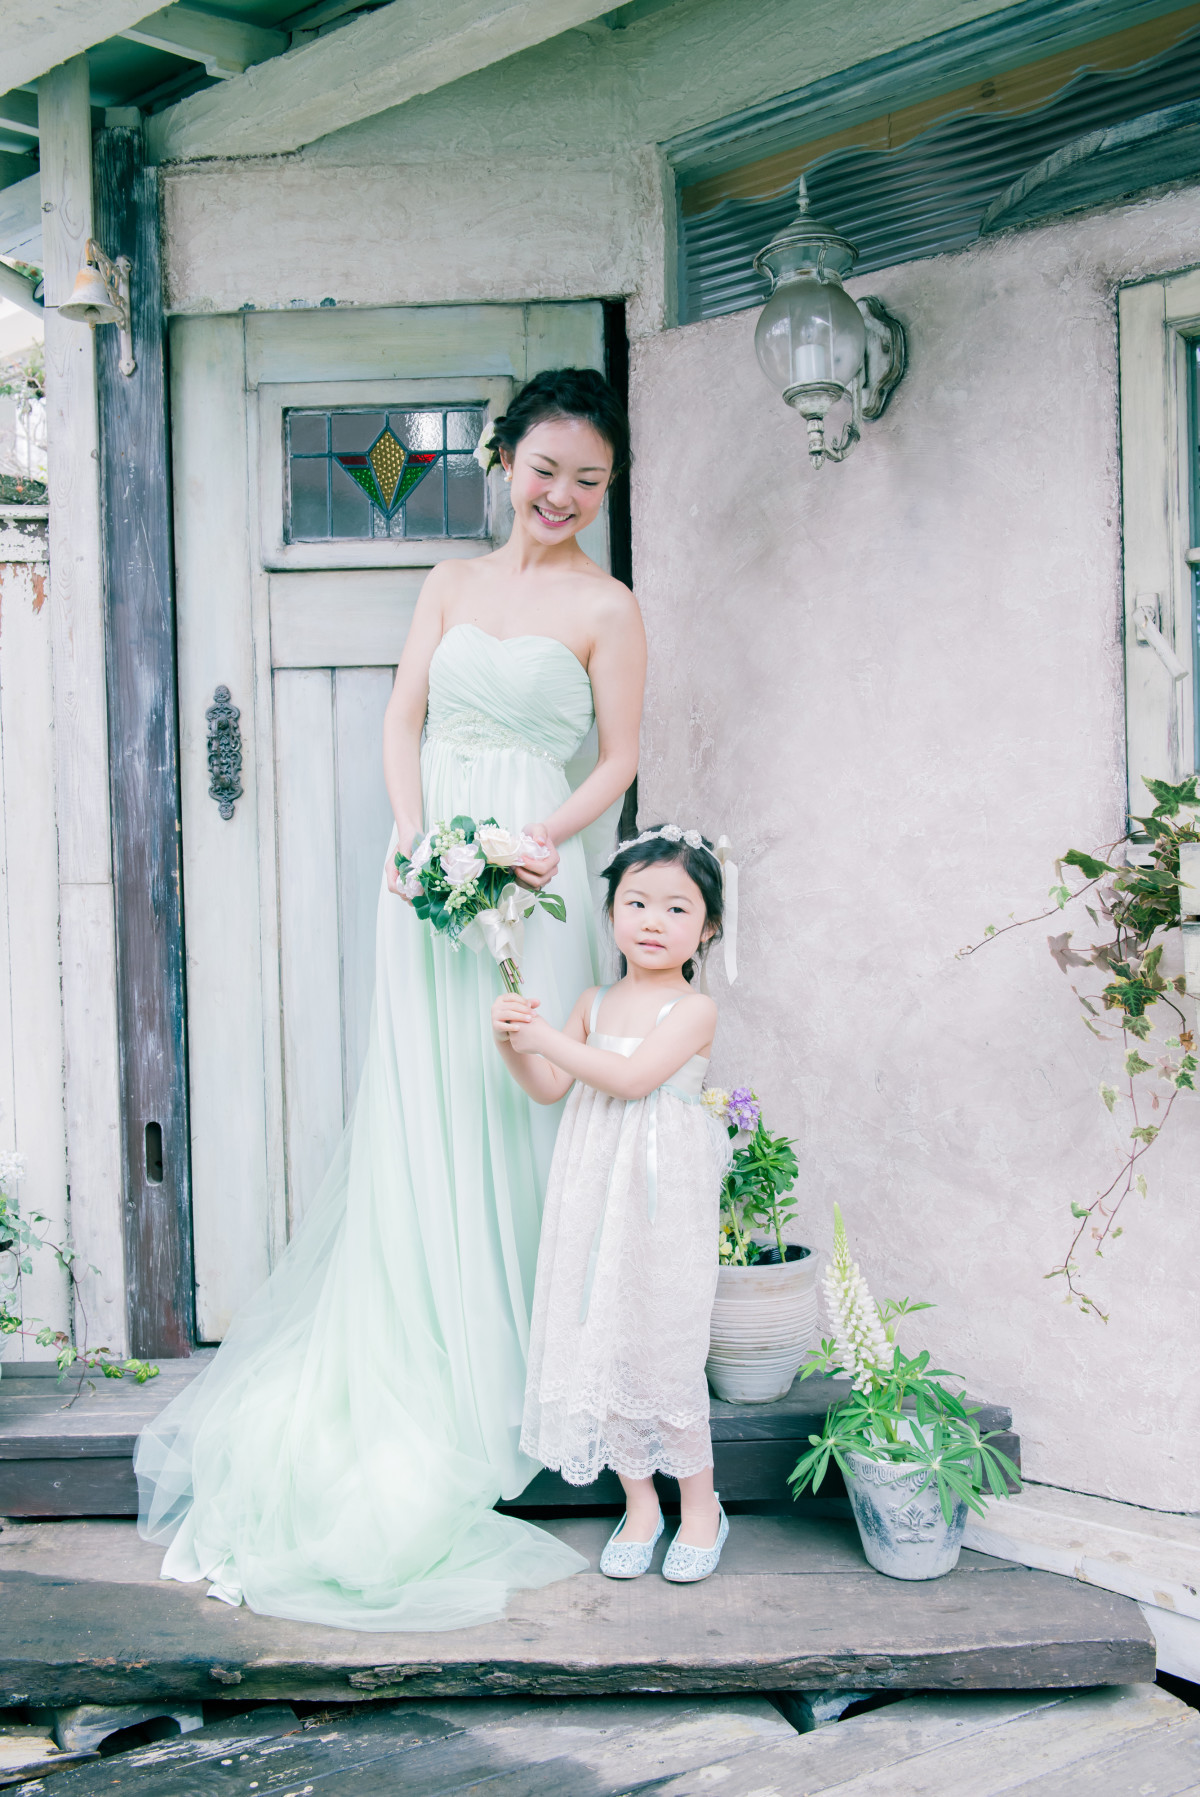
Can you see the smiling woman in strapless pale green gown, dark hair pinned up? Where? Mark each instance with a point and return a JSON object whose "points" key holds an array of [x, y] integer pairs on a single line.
{"points": [[340, 1458]]}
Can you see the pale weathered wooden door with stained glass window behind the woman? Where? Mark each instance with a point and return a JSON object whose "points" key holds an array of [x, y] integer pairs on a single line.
{"points": [[294, 436]]}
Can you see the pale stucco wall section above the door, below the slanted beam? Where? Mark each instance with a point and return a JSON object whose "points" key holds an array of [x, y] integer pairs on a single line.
{"points": [[534, 179]]}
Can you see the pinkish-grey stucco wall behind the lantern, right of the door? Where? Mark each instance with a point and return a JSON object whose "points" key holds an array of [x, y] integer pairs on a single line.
{"points": [[899, 687]]}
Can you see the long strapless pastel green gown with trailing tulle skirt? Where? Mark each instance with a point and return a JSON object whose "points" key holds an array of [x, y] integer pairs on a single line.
{"points": [[340, 1458]]}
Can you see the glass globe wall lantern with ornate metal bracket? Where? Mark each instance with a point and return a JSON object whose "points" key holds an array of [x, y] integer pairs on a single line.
{"points": [[818, 346]]}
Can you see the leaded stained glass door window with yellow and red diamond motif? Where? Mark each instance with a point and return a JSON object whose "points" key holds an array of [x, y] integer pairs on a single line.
{"points": [[405, 474]]}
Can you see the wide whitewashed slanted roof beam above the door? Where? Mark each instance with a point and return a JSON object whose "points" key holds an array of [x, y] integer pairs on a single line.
{"points": [[378, 62]]}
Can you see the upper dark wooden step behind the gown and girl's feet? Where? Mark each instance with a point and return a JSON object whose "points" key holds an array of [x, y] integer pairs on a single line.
{"points": [[62, 1458]]}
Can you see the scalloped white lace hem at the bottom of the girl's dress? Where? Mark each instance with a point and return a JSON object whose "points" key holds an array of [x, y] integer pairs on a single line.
{"points": [[581, 1447]]}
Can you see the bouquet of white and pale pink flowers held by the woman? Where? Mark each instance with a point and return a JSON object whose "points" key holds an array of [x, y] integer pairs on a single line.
{"points": [[459, 880]]}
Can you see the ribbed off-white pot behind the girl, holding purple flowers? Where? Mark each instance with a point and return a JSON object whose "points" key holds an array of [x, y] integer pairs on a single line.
{"points": [[764, 1322]]}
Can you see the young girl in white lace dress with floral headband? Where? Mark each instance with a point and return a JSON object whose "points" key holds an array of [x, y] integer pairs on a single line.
{"points": [[628, 1262]]}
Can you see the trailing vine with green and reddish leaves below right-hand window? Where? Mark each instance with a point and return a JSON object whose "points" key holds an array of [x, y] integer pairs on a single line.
{"points": [[1134, 905]]}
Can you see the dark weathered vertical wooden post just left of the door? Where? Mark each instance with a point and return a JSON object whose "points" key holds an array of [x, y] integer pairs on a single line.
{"points": [[145, 761]]}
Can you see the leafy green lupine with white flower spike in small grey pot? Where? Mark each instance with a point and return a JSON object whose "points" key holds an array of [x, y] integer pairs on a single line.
{"points": [[897, 1410]]}
